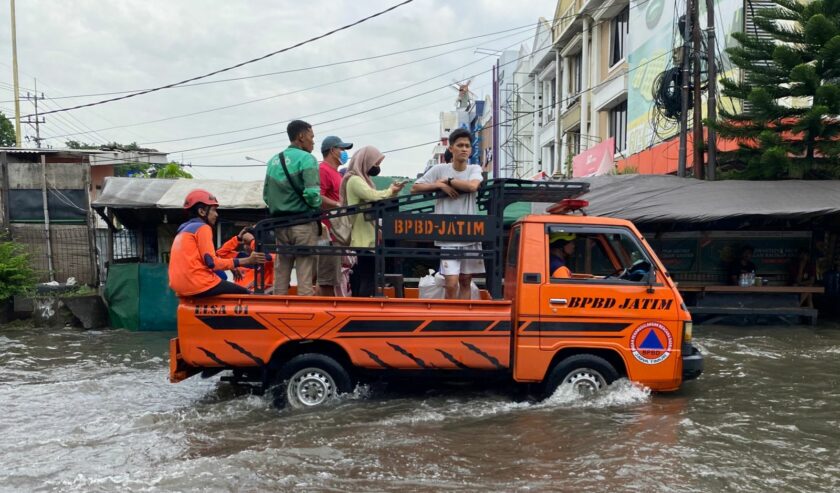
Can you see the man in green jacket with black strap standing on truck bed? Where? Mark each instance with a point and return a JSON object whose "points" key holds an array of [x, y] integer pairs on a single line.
{"points": [[290, 191]]}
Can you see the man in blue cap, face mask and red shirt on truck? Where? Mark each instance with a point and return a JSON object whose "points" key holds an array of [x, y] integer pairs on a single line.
{"points": [[334, 151]]}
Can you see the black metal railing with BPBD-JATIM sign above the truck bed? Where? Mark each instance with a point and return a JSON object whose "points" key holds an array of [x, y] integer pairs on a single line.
{"points": [[409, 218]]}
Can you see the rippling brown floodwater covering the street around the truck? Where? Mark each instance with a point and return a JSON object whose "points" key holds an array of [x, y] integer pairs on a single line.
{"points": [[93, 411]]}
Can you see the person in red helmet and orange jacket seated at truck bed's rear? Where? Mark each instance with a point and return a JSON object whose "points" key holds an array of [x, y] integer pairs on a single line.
{"points": [[193, 257]]}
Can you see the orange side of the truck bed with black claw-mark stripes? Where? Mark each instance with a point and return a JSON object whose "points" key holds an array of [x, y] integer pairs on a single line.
{"points": [[234, 331]]}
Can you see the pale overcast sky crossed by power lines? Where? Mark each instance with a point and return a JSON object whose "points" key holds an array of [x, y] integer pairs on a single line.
{"points": [[87, 47]]}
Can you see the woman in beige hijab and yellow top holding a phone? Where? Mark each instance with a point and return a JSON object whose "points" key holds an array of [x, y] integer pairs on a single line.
{"points": [[357, 188]]}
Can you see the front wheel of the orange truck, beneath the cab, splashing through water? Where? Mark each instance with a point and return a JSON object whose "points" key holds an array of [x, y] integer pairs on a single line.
{"points": [[586, 374]]}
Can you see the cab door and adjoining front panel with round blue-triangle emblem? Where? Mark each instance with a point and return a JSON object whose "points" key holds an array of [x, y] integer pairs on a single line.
{"points": [[608, 302]]}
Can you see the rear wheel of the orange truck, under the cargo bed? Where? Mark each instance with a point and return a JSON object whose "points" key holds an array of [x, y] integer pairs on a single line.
{"points": [[311, 380]]}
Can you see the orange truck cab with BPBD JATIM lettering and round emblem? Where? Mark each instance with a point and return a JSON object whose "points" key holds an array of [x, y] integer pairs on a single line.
{"points": [[616, 302]]}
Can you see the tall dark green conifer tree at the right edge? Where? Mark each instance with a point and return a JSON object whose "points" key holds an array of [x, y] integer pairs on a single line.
{"points": [[790, 126]]}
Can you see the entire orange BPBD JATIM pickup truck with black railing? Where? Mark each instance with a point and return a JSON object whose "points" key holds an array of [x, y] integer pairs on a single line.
{"points": [[618, 315]]}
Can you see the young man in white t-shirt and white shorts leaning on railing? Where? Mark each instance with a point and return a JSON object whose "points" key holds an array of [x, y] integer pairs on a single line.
{"points": [[460, 181]]}
